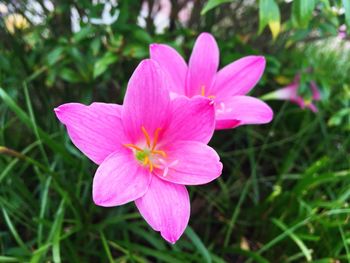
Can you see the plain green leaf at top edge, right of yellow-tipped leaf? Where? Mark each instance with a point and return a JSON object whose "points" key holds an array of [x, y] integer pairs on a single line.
{"points": [[302, 12]]}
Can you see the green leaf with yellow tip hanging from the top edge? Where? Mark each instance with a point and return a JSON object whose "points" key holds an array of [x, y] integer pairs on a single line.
{"points": [[269, 14]]}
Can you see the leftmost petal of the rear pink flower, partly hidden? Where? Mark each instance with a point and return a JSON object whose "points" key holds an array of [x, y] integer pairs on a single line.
{"points": [[173, 65]]}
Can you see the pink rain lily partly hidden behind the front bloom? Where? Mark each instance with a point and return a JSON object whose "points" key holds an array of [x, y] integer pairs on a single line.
{"points": [[227, 88]]}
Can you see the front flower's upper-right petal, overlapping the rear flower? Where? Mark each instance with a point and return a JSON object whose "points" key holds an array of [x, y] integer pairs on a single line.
{"points": [[192, 119]]}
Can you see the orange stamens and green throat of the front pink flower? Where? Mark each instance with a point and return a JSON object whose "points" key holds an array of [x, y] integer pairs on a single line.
{"points": [[148, 155]]}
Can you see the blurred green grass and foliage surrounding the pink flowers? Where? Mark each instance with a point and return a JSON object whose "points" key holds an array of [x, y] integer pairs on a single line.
{"points": [[283, 195]]}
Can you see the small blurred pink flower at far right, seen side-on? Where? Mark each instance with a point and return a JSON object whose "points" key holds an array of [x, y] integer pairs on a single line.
{"points": [[291, 93]]}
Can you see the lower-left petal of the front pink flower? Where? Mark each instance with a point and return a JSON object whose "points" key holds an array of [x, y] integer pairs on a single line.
{"points": [[119, 180]]}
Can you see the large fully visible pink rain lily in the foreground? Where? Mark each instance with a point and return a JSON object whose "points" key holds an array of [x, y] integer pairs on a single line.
{"points": [[147, 149]]}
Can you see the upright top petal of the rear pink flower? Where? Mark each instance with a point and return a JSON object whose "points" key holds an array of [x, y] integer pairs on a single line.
{"points": [[203, 65]]}
